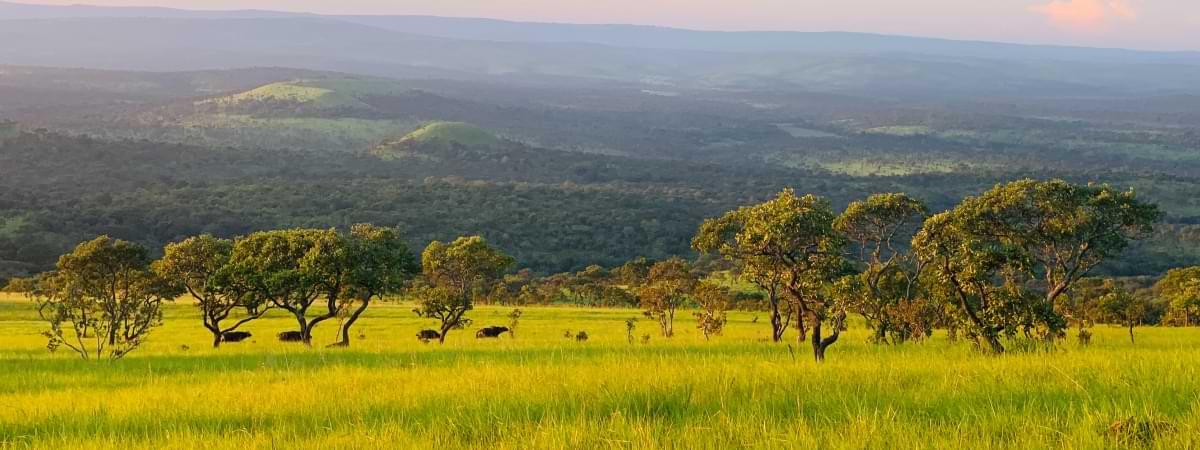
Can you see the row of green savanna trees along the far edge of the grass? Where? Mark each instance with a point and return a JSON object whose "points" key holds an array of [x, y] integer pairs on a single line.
{"points": [[1011, 263]]}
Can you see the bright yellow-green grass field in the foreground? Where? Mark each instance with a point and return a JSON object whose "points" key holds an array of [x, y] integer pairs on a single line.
{"points": [[542, 391]]}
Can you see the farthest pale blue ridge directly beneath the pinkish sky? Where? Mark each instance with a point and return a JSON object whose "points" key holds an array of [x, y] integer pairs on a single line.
{"points": [[639, 37]]}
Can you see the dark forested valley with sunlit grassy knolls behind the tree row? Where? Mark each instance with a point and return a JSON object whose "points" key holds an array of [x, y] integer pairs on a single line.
{"points": [[560, 177]]}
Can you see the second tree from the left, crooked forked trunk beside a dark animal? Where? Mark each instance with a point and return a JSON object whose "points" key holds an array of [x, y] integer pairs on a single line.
{"points": [[196, 265]]}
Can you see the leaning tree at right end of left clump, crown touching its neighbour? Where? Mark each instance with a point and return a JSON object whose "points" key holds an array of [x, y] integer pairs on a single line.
{"points": [[375, 262]]}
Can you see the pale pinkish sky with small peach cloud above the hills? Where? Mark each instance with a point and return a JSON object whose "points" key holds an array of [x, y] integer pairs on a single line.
{"points": [[1144, 25]]}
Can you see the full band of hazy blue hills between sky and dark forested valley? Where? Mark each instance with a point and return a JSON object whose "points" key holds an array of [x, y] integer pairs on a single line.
{"points": [[550, 55]]}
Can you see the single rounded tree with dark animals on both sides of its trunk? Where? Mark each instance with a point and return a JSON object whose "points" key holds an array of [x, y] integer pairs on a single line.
{"points": [[453, 277]]}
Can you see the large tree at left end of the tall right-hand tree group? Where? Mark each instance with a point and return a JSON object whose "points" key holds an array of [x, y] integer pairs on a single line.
{"points": [[787, 247]]}
